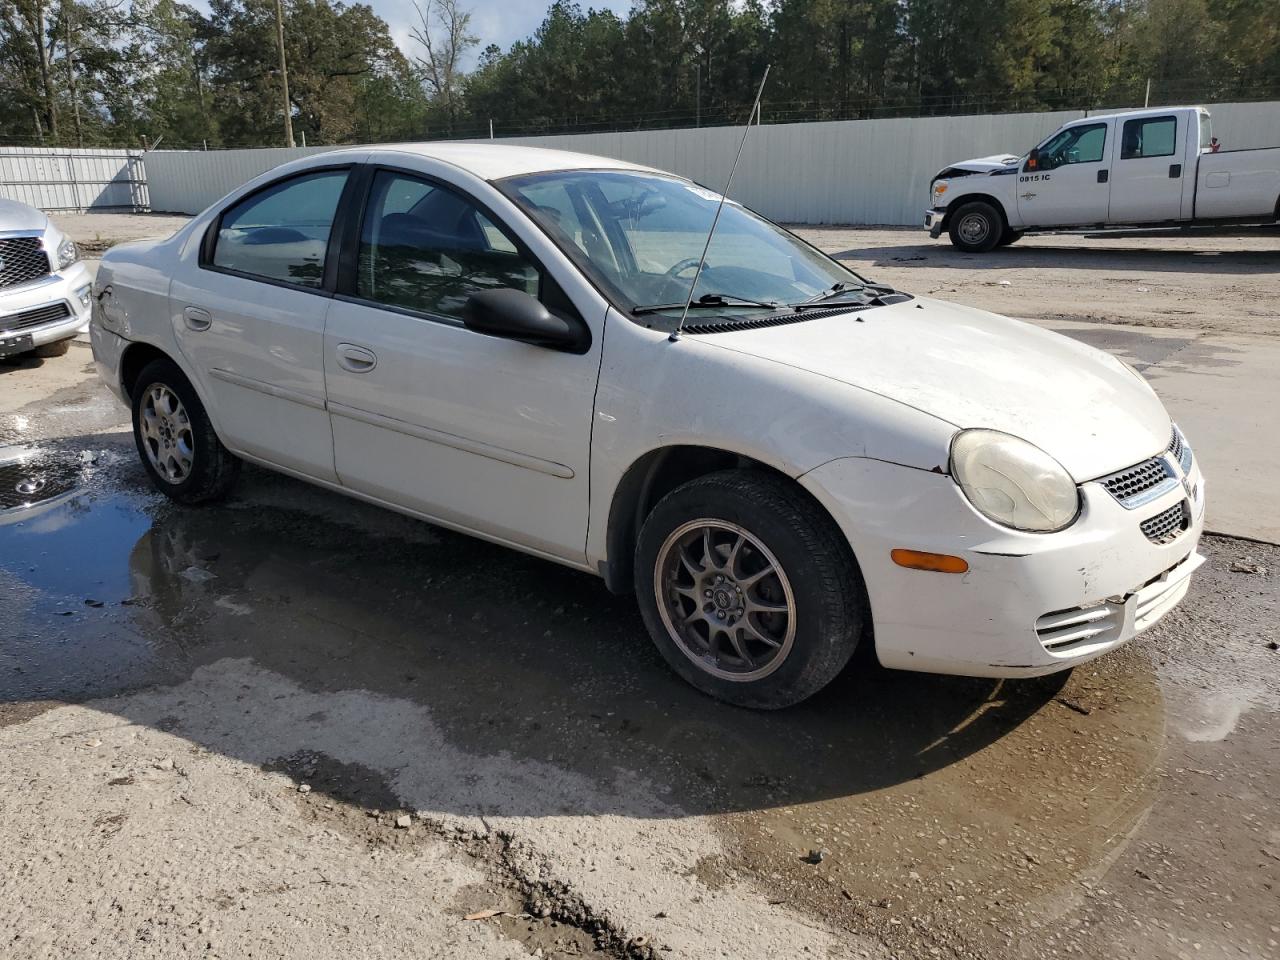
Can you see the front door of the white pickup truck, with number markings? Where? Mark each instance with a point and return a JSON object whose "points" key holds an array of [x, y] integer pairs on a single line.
{"points": [[1066, 182]]}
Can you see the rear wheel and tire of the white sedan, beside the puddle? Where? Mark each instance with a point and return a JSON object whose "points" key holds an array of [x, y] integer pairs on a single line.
{"points": [[176, 441]]}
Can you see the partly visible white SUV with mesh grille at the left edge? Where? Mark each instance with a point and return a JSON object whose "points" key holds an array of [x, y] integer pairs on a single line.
{"points": [[44, 285]]}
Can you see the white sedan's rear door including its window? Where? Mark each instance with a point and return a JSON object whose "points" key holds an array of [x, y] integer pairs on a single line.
{"points": [[249, 317]]}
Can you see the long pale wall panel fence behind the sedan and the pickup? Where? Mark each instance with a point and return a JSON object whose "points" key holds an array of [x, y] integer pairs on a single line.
{"points": [[858, 172]]}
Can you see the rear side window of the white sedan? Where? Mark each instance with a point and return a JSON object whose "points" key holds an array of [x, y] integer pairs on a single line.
{"points": [[282, 234]]}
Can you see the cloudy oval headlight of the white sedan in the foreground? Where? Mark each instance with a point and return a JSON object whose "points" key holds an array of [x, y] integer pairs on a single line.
{"points": [[1013, 482]]}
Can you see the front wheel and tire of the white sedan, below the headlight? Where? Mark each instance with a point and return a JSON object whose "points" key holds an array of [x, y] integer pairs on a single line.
{"points": [[787, 577]]}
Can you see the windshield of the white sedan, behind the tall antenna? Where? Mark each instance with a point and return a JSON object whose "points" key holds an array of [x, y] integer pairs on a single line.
{"points": [[639, 236]]}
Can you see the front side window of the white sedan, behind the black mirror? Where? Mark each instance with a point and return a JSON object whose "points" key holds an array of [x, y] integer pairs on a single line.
{"points": [[427, 249]]}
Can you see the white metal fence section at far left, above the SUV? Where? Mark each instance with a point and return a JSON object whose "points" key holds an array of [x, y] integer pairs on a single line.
{"points": [[75, 181]]}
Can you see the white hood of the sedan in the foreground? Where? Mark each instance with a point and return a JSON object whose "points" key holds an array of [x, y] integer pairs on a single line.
{"points": [[975, 369]]}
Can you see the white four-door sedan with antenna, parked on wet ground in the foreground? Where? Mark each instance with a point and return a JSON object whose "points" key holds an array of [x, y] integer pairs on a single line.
{"points": [[482, 336]]}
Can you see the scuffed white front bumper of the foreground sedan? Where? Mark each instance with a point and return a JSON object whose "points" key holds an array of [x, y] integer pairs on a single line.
{"points": [[1031, 604]]}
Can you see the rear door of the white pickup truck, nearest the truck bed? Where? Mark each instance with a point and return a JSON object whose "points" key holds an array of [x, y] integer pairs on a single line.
{"points": [[1148, 186]]}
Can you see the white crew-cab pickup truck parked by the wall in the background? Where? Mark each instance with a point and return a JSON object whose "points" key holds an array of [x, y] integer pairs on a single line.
{"points": [[1145, 168]]}
